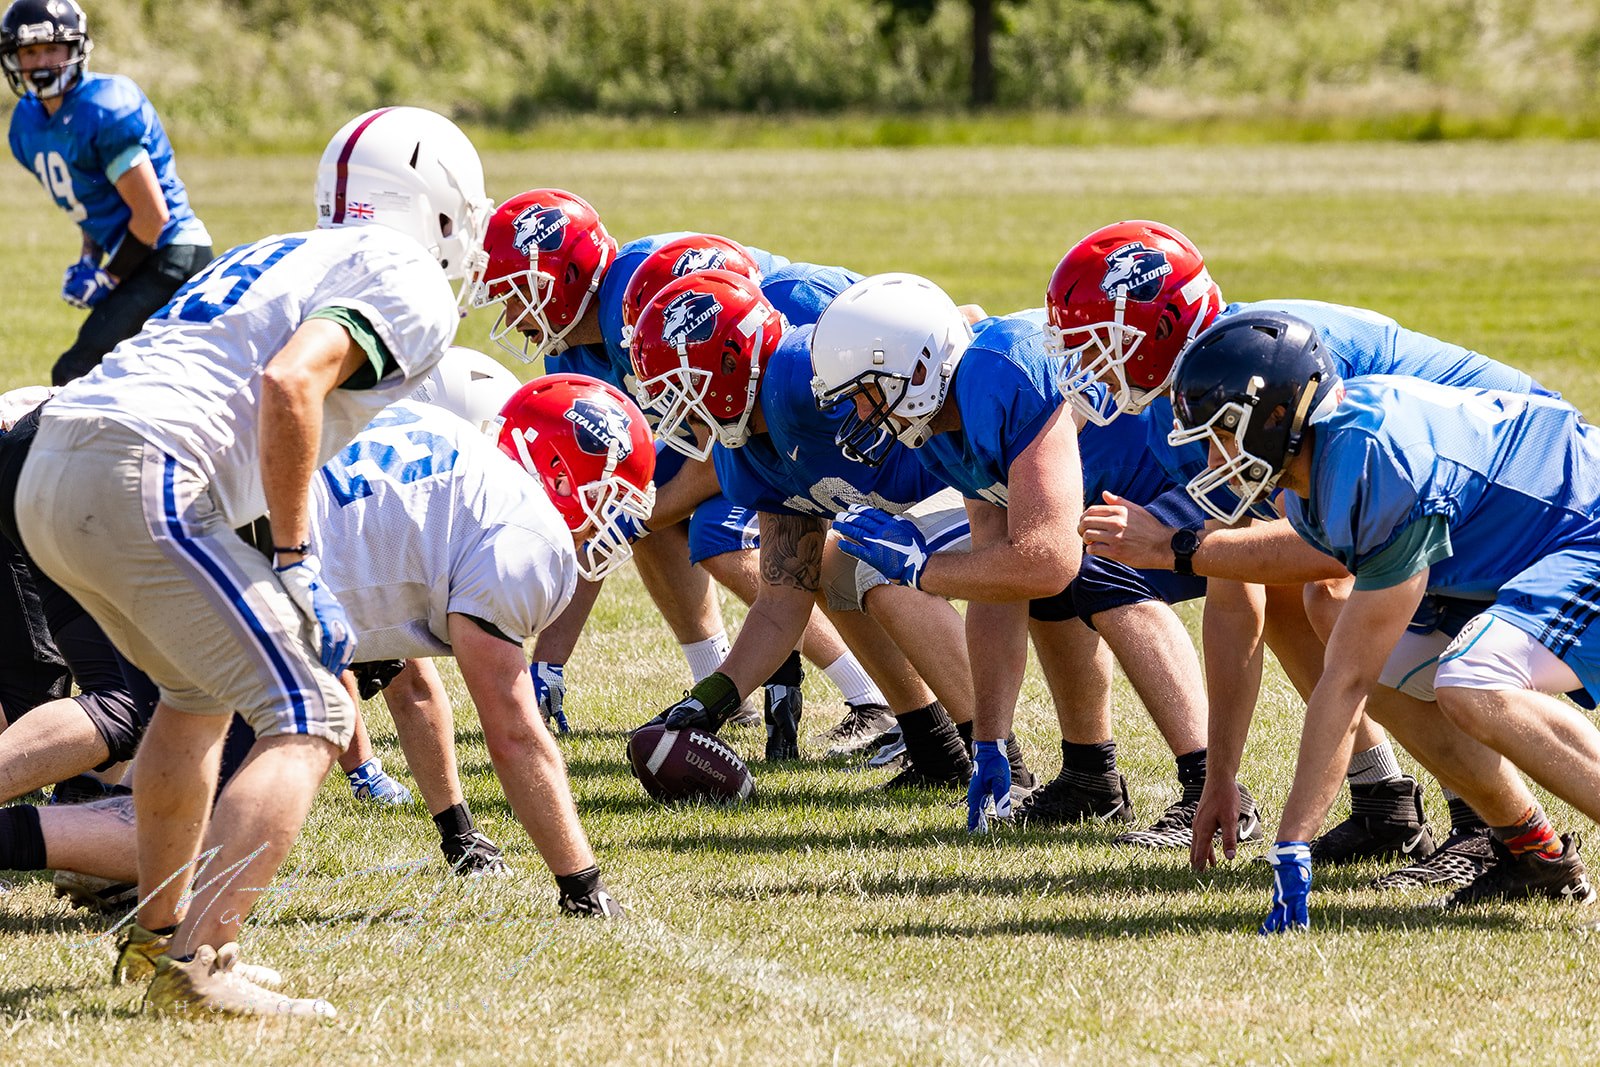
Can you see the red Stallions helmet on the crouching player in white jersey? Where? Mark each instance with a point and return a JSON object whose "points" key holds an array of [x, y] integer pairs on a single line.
{"points": [[591, 450]]}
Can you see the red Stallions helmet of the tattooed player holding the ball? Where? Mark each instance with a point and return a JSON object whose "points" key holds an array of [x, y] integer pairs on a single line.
{"points": [[698, 354]]}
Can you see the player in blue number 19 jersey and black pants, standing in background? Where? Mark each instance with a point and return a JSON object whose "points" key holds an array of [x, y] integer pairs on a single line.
{"points": [[97, 146]]}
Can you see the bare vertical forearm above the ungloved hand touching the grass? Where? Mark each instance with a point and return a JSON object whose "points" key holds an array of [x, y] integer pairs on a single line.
{"points": [[1231, 636]]}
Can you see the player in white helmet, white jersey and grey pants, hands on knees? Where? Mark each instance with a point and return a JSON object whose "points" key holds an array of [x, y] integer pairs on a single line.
{"points": [[218, 412]]}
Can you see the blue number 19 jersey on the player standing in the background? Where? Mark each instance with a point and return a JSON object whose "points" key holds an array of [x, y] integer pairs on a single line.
{"points": [[103, 129]]}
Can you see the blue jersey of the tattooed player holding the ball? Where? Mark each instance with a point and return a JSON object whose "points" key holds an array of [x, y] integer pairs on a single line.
{"points": [[796, 466]]}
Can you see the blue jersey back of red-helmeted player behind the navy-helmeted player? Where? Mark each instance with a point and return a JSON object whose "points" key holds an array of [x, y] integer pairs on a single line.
{"points": [[1366, 343]]}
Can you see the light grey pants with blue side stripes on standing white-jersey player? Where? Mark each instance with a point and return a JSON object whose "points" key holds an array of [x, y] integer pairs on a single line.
{"points": [[140, 543]]}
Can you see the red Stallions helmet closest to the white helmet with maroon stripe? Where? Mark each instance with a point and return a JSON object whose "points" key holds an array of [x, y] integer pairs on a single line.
{"points": [[548, 254]]}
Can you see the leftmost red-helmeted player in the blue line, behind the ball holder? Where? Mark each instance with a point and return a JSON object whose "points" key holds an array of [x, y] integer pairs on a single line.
{"points": [[562, 286]]}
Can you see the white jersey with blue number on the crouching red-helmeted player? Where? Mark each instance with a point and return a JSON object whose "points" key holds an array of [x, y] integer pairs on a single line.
{"points": [[423, 516]]}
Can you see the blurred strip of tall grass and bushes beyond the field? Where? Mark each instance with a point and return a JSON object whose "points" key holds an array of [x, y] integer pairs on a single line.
{"points": [[282, 71]]}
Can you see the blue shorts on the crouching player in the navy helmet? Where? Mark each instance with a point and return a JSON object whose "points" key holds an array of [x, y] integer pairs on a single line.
{"points": [[1554, 602]]}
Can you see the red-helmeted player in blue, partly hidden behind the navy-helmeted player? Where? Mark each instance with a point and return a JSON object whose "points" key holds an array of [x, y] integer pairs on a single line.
{"points": [[1124, 303]]}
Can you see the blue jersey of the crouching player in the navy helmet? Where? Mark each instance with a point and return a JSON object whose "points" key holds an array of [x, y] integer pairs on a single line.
{"points": [[1511, 478]]}
